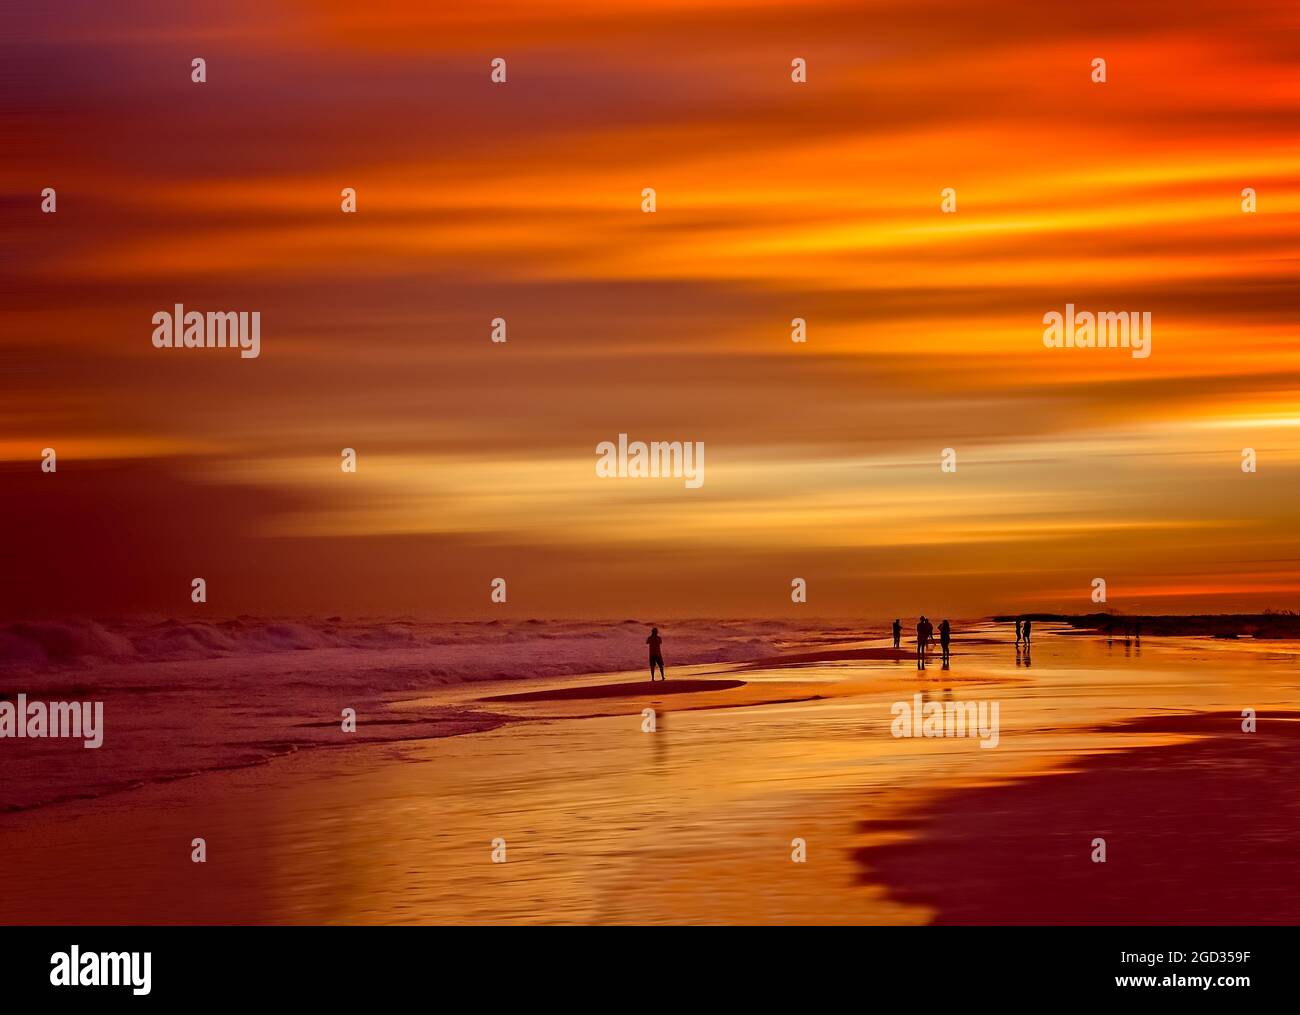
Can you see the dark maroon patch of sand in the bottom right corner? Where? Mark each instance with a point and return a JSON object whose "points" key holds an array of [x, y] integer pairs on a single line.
{"points": [[1197, 834]]}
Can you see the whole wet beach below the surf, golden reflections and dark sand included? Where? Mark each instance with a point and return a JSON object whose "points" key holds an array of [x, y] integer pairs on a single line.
{"points": [[751, 761]]}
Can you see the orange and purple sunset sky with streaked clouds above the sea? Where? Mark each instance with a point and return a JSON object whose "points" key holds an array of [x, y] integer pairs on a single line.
{"points": [[775, 201]]}
